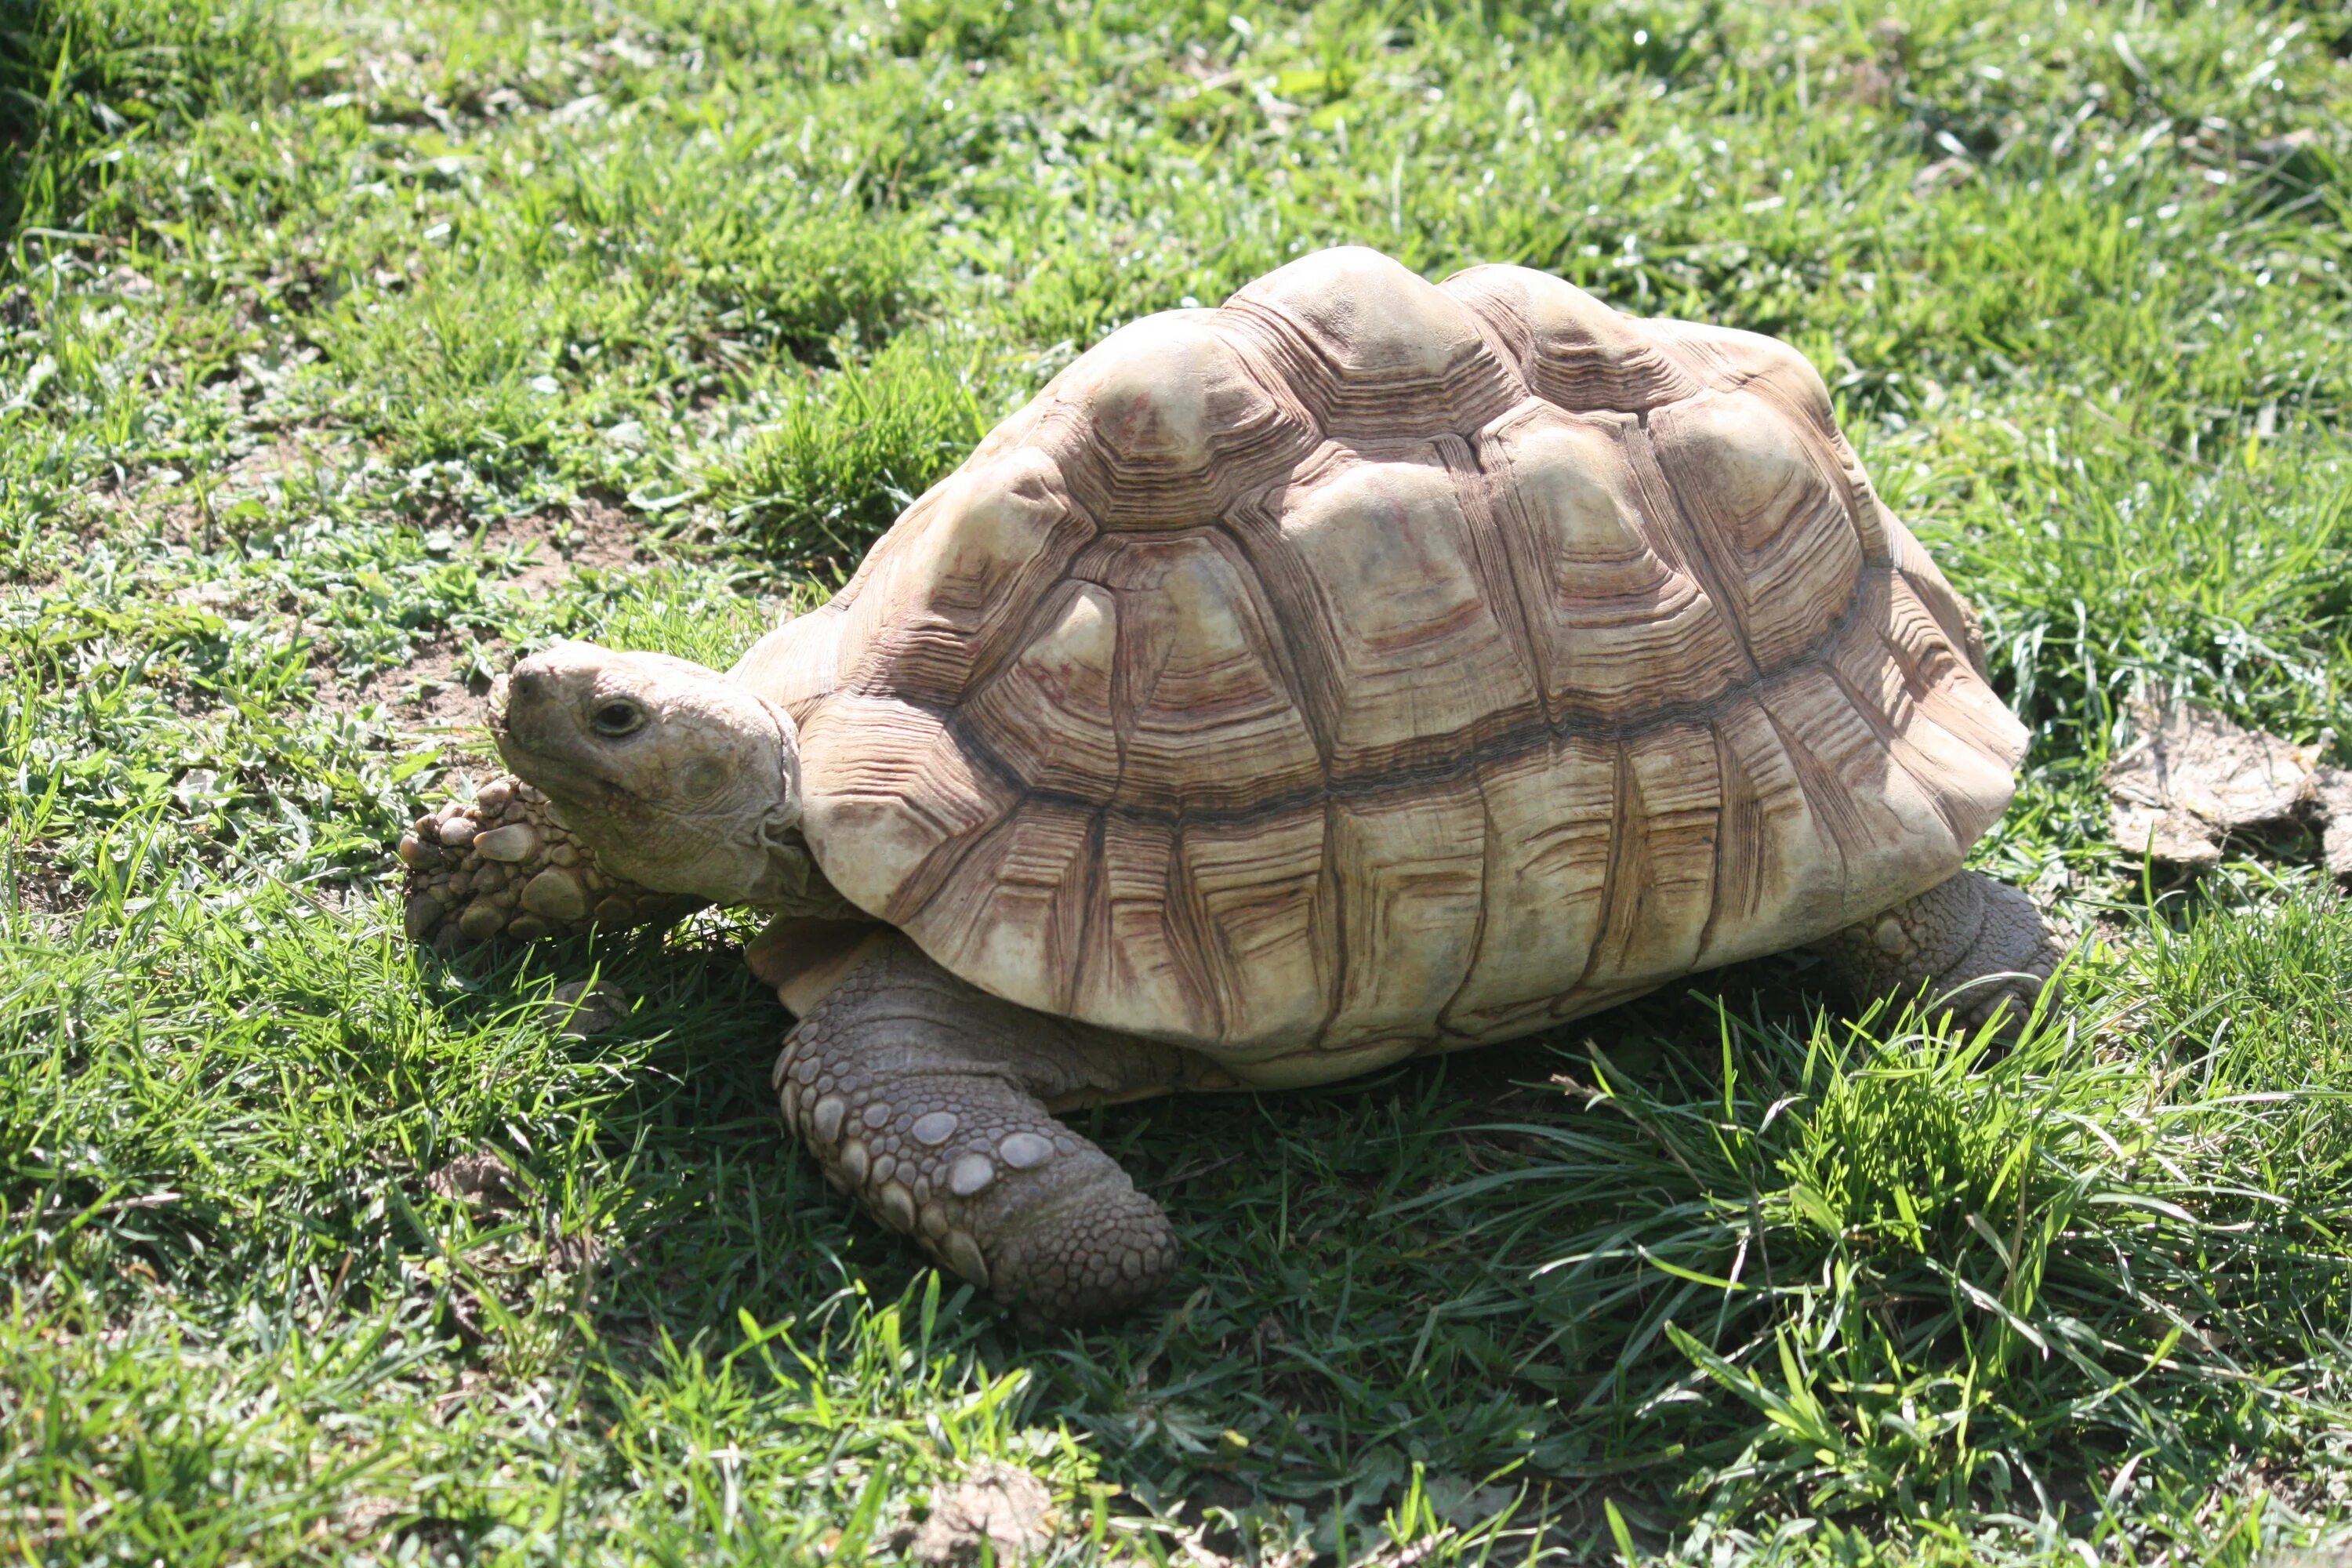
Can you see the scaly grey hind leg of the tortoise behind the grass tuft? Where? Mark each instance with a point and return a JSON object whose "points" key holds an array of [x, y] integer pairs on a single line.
{"points": [[1977, 942]]}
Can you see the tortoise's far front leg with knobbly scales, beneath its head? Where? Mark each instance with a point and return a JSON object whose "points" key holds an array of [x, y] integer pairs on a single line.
{"points": [[505, 866]]}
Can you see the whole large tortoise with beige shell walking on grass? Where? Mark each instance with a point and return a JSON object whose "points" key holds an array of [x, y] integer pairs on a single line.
{"points": [[1354, 671]]}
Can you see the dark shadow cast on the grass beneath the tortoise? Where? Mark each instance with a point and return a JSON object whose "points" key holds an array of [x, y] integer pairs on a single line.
{"points": [[1321, 1360]]}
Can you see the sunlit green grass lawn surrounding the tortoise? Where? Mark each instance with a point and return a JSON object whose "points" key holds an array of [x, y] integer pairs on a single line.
{"points": [[352, 351]]}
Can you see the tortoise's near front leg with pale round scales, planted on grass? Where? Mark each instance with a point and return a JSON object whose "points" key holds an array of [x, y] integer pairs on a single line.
{"points": [[928, 1099]]}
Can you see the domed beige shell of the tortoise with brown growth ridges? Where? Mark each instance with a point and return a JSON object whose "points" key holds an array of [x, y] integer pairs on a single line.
{"points": [[1370, 666]]}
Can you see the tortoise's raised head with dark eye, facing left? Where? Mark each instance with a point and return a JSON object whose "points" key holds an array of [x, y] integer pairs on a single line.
{"points": [[681, 779]]}
